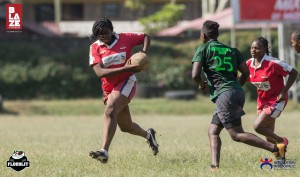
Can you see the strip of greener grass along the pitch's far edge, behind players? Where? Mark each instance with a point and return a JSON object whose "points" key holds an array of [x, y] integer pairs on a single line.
{"points": [[160, 106]]}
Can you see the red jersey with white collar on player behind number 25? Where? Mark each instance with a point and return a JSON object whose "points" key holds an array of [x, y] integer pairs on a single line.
{"points": [[268, 77]]}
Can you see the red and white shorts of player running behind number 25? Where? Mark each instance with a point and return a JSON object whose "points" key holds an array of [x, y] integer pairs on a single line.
{"points": [[272, 109]]}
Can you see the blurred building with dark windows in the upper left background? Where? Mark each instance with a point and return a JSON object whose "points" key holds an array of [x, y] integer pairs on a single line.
{"points": [[76, 17]]}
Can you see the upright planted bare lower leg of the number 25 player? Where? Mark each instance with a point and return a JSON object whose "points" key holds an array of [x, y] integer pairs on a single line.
{"points": [[215, 143]]}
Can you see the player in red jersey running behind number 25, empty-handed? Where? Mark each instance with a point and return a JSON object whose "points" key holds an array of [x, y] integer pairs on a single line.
{"points": [[267, 74]]}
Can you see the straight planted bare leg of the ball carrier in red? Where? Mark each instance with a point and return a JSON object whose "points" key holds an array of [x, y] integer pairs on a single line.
{"points": [[115, 104]]}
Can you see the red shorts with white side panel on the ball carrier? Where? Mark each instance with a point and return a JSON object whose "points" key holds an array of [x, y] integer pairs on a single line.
{"points": [[126, 88]]}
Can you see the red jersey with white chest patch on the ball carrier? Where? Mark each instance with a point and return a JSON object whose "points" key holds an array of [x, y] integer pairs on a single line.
{"points": [[114, 56]]}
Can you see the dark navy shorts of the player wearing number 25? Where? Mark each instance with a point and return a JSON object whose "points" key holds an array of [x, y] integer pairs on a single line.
{"points": [[229, 108]]}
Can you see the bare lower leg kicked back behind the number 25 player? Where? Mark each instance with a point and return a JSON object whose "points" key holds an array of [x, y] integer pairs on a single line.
{"points": [[237, 134]]}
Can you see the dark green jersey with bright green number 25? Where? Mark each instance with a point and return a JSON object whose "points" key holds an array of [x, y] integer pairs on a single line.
{"points": [[220, 64]]}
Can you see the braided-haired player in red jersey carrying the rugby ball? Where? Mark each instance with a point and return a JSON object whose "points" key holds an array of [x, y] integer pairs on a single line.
{"points": [[109, 58]]}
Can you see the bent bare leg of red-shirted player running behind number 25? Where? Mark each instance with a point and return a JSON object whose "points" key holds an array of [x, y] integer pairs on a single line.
{"points": [[264, 125]]}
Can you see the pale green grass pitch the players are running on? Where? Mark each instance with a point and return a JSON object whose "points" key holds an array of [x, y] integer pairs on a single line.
{"points": [[58, 143]]}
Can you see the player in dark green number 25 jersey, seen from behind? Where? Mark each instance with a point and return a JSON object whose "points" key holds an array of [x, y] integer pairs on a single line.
{"points": [[220, 64]]}
